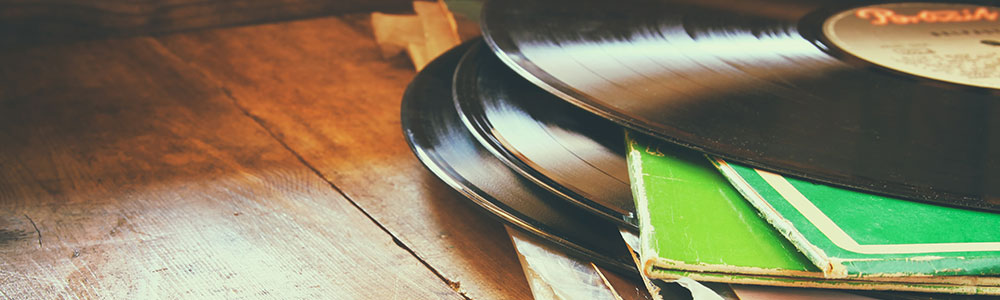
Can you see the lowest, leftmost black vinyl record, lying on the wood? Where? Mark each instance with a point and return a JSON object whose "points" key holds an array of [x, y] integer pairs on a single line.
{"points": [[439, 139]]}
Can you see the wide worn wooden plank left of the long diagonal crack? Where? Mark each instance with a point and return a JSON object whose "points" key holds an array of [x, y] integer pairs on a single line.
{"points": [[126, 174]]}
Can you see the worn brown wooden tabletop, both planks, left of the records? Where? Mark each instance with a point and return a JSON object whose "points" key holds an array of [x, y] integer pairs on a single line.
{"points": [[241, 162]]}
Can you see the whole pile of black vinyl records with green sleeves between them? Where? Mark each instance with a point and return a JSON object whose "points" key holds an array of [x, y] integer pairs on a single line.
{"points": [[823, 144]]}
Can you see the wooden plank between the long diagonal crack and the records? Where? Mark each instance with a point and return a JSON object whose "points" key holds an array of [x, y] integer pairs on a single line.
{"points": [[322, 88]]}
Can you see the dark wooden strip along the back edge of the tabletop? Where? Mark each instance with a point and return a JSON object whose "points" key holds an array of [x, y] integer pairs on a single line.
{"points": [[48, 21]]}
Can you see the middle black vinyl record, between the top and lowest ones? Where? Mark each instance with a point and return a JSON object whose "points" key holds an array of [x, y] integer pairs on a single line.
{"points": [[562, 148]]}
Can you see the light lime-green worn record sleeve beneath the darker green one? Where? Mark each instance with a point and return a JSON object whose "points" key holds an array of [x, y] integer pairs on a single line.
{"points": [[694, 223]]}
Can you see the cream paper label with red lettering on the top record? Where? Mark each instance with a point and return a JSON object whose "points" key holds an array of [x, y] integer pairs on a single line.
{"points": [[956, 43]]}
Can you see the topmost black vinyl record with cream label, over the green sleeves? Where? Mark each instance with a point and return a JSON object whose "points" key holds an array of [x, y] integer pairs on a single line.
{"points": [[898, 99]]}
